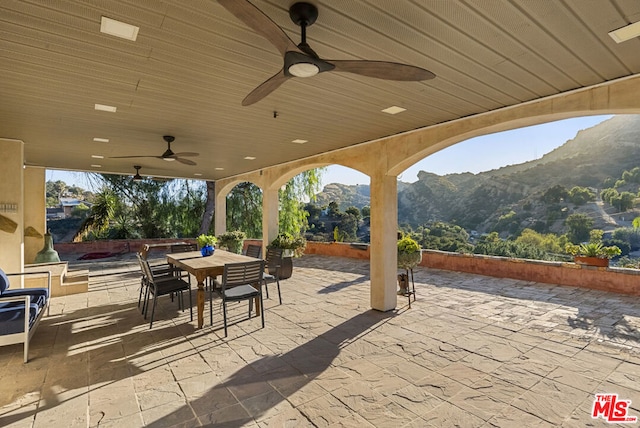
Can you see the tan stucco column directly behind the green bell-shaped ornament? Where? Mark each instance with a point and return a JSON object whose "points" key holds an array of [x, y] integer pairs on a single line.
{"points": [[35, 211]]}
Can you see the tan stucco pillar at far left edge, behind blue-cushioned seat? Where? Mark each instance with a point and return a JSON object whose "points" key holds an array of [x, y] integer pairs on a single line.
{"points": [[12, 205]]}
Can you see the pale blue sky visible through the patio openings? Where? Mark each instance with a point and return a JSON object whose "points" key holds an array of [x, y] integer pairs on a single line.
{"points": [[474, 155]]}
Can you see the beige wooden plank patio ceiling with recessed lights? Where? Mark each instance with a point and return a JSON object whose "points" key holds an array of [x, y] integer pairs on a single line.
{"points": [[193, 63]]}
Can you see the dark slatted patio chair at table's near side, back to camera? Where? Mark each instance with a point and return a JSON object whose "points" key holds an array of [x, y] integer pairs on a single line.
{"points": [[240, 281]]}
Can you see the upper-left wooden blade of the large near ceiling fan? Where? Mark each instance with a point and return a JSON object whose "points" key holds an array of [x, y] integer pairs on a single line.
{"points": [[260, 23]]}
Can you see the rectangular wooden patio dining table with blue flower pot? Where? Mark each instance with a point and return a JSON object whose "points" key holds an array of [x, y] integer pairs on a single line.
{"points": [[203, 267]]}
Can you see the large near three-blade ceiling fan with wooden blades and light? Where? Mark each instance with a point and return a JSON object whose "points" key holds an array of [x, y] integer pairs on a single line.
{"points": [[300, 60]]}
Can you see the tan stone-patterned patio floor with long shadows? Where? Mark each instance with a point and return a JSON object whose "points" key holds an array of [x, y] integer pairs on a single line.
{"points": [[472, 351]]}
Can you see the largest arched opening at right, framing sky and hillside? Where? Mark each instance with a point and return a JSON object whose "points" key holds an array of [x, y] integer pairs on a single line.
{"points": [[528, 192]]}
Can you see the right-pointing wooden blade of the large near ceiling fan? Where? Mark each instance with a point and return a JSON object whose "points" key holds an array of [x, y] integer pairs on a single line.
{"points": [[383, 70]]}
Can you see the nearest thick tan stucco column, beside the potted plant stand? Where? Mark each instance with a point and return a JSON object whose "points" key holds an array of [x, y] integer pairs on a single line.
{"points": [[384, 238]]}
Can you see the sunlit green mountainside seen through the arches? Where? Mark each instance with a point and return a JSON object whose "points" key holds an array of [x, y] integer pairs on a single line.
{"points": [[481, 201]]}
